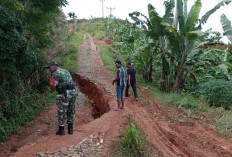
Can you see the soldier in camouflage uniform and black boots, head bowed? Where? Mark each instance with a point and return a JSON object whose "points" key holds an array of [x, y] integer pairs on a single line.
{"points": [[66, 97]]}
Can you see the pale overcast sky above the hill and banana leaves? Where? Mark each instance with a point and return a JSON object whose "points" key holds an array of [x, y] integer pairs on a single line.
{"points": [[93, 8]]}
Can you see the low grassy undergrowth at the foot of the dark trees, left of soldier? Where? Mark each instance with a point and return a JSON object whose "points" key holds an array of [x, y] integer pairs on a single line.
{"points": [[22, 108]]}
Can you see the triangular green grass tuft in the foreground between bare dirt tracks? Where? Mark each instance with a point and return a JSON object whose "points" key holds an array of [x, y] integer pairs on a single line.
{"points": [[132, 144]]}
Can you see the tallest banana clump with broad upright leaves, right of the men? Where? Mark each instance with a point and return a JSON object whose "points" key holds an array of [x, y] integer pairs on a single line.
{"points": [[177, 37]]}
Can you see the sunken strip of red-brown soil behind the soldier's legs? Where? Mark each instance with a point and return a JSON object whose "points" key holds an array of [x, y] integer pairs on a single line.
{"points": [[43, 125]]}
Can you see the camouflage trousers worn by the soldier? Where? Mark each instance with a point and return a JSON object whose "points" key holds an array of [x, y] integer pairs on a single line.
{"points": [[66, 107]]}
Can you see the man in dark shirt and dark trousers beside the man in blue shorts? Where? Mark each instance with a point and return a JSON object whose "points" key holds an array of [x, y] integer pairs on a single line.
{"points": [[131, 80]]}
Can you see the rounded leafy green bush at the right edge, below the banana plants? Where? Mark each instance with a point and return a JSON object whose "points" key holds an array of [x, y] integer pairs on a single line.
{"points": [[217, 92]]}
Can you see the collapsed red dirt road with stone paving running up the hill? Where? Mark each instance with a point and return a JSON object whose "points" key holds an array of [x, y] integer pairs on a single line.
{"points": [[169, 137]]}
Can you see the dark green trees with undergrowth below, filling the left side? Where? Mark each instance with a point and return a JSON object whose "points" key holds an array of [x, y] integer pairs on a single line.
{"points": [[26, 29]]}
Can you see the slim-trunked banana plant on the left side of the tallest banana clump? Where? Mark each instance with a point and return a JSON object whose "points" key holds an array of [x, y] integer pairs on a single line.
{"points": [[153, 29]]}
